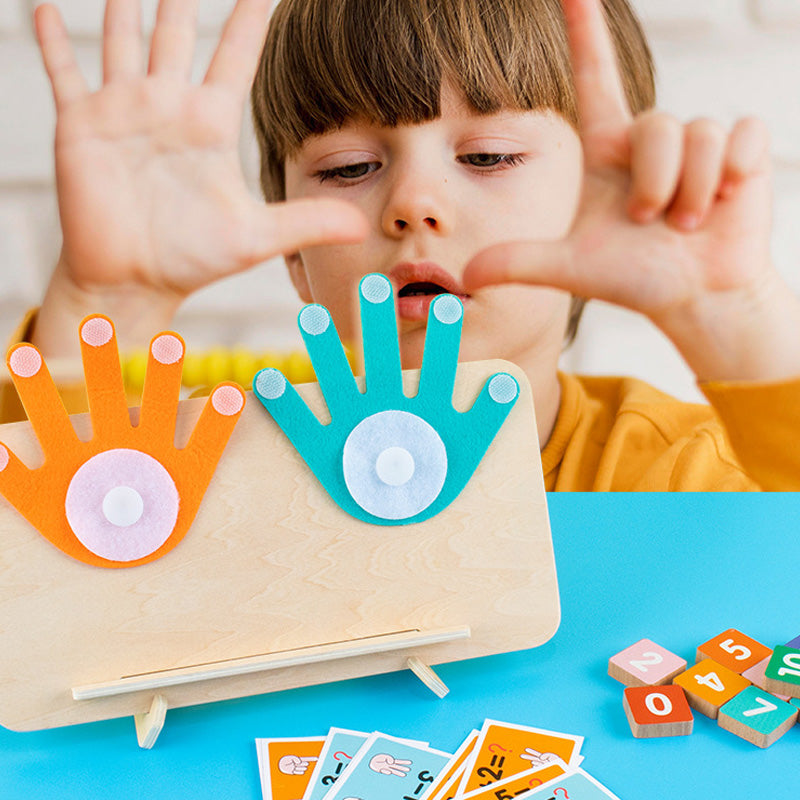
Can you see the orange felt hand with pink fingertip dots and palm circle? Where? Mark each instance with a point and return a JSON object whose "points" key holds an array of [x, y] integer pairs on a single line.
{"points": [[127, 496]]}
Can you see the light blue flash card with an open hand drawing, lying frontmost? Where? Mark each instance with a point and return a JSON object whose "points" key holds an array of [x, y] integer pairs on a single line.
{"points": [[388, 768]]}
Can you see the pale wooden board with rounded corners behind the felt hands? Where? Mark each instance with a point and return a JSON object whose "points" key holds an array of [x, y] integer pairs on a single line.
{"points": [[271, 565]]}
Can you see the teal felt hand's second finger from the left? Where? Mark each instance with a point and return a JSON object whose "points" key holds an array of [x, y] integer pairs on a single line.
{"points": [[327, 357]]}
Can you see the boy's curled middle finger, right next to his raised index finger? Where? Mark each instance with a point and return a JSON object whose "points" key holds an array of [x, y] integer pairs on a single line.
{"points": [[656, 155]]}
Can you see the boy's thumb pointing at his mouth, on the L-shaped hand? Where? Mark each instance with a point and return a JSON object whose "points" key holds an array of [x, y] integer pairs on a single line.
{"points": [[539, 263]]}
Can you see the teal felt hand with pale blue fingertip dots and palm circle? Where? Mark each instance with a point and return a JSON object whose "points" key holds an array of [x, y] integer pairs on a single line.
{"points": [[386, 458]]}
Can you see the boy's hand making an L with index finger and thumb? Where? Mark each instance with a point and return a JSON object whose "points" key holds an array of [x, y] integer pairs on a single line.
{"points": [[674, 222]]}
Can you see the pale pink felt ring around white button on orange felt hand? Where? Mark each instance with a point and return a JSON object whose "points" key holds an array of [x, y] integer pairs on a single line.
{"points": [[107, 471]]}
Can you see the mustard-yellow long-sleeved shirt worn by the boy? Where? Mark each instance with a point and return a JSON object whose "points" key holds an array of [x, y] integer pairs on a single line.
{"points": [[620, 434]]}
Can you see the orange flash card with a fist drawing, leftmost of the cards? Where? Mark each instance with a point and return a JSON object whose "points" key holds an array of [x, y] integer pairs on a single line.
{"points": [[286, 765]]}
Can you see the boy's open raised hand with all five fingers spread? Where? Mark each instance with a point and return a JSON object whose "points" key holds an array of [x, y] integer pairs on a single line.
{"points": [[152, 199]]}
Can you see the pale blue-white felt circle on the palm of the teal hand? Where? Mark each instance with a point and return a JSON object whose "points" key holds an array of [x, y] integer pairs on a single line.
{"points": [[372, 454]]}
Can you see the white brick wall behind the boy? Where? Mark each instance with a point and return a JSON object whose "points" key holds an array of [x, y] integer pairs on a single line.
{"points": [[719, 58]]}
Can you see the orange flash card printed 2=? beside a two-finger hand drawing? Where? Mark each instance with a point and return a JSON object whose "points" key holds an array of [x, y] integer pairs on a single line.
{"points": [[504, 750]]}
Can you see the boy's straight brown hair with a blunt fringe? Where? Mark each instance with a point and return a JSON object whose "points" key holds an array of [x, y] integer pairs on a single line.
{"points": [[384, 61]]}
